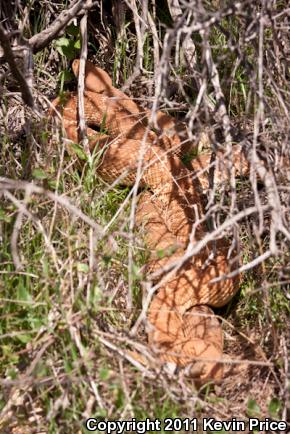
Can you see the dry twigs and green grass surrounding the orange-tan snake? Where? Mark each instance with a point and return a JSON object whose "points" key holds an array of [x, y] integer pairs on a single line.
{"points": [[67, 260]]}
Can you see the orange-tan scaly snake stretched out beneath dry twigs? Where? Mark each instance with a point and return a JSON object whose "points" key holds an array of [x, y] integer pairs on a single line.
{"points": [[182, 328]]}
